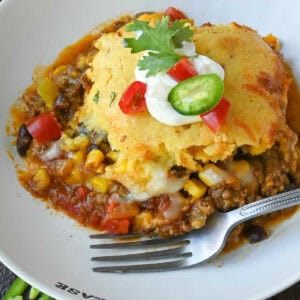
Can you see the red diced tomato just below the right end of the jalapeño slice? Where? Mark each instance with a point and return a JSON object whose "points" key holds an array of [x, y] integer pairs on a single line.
{"points": [[215, 118]]}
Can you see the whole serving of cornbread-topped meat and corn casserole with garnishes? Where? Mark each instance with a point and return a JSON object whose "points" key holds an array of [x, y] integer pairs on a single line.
{"points": [[121, 150]]}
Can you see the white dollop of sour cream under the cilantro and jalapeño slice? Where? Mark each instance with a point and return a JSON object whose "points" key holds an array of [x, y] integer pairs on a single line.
{"points": [[159, 87]]}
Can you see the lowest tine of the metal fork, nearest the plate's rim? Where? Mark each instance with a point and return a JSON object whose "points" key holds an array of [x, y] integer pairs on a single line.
{"points": [[164, 266]]}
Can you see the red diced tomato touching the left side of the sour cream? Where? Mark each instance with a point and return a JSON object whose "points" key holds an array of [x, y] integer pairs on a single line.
{"points": [[133, 99]]}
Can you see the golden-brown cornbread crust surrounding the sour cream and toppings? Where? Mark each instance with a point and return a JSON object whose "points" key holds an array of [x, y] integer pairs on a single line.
{"points": [[255, 81]]}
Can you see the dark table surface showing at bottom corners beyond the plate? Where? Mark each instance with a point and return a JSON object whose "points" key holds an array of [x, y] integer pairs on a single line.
{"points": [[6, 278]]}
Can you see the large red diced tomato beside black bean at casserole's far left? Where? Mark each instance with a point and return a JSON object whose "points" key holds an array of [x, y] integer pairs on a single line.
{"points": [[44, 128]]}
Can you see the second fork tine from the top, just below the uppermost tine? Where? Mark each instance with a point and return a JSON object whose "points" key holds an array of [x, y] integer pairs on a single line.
{"points": [[149, 242]]}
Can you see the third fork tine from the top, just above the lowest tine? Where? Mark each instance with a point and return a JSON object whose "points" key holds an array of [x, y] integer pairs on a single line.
{"points": [[160, 254]]}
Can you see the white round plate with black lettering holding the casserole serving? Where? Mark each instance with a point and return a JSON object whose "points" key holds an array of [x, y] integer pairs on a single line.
{"points": [[49, 250]]}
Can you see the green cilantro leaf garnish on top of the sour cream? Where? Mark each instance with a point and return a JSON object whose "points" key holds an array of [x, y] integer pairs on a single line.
{"points": [[161, 42]]}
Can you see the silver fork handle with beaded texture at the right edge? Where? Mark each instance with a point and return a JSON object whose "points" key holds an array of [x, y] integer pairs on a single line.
{"points": [[267, 205]]}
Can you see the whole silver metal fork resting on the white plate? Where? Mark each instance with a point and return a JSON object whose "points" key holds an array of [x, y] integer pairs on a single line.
{"points": [[129, 253]]}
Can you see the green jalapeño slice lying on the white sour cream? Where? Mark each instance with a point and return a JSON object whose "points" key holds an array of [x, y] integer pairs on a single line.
{"points": [[197, 95]]}
